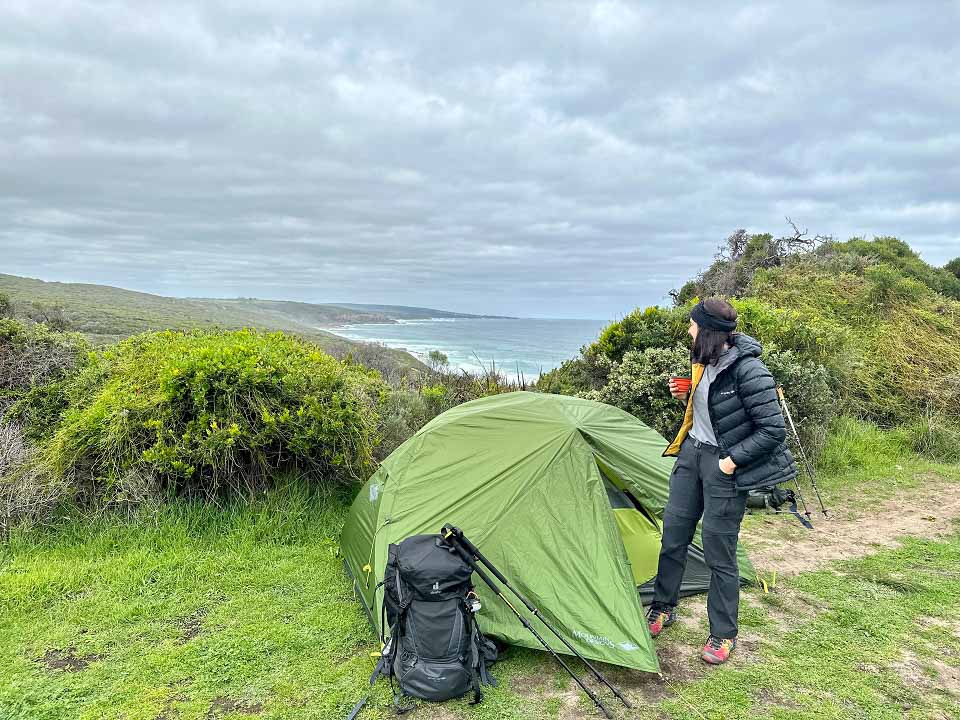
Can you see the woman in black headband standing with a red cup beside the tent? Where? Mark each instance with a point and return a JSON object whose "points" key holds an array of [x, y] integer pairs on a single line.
{"points": [[731, 440]]}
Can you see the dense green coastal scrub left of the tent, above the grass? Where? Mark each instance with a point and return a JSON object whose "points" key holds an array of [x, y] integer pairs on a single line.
{"points": [[205, 412]]}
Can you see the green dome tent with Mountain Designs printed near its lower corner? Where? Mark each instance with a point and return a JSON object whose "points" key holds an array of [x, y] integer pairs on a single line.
{"points": [[563, 495]]}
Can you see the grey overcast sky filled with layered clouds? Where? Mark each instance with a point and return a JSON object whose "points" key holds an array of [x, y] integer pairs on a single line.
{"points": [[546, 159]]}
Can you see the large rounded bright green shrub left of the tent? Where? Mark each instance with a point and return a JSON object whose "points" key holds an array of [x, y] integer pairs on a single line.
{"points": [[202, 412]]}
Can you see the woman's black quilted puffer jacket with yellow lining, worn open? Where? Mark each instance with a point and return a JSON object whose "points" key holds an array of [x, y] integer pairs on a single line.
{"points": [[747, 420]]}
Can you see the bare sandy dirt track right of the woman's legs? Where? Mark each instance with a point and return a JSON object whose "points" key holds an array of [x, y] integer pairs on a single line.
{"points": [[790, 549]]}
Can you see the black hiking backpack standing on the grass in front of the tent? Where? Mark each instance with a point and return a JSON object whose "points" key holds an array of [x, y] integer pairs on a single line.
{"points": [[435, 650]]}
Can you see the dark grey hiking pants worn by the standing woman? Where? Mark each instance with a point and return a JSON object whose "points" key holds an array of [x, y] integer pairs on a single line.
{"points": [[698, 488]]}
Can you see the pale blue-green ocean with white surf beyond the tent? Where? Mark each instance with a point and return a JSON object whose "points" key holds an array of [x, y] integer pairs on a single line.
{"points": [[523, 345]]}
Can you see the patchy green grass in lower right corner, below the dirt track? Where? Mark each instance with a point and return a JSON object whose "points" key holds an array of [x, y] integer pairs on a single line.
{"points": [[841, 663]]}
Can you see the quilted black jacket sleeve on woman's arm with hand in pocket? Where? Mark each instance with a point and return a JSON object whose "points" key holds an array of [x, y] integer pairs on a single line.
{"points": [[758, 393]]}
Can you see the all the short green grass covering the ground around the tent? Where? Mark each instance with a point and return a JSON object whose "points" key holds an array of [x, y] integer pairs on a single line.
{"points": [[189, 611]]}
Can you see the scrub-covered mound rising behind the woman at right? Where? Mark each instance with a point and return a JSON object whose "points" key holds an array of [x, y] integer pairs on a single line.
{"points": [[858, 328]]}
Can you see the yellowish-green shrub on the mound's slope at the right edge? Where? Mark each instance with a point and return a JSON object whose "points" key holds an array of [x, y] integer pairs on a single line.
{"points": [[901, 340]]}
